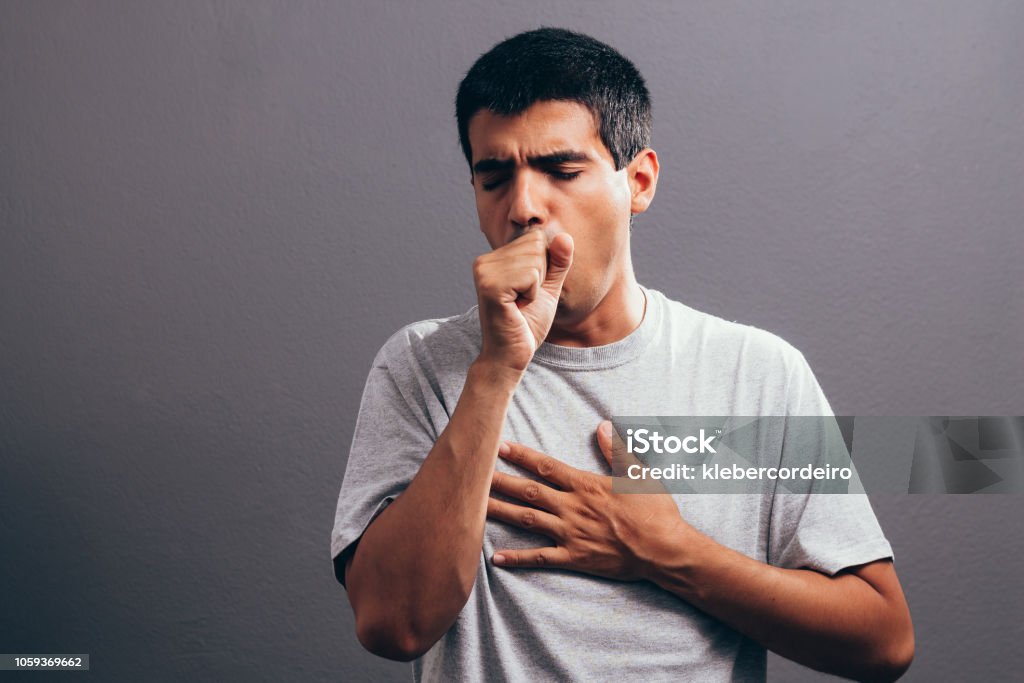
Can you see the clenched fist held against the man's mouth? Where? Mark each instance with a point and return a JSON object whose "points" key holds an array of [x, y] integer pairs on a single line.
{"points": [[518, 287]]}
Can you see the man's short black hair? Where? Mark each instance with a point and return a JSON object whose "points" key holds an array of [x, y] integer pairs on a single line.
{"points": [[557, 64]]}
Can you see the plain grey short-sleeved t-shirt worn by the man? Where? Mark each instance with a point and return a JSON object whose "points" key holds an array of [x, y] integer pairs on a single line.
{"points": [[540, 625]]}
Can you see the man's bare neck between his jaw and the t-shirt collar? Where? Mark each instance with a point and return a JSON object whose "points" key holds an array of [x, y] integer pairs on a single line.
{"points": [[616, 316]]}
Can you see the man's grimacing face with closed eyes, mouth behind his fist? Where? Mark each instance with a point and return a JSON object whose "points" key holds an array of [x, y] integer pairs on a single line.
{"points": [[548, 169]]}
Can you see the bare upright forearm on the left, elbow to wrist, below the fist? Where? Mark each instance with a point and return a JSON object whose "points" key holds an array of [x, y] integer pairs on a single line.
{"points": [[414, 568]]}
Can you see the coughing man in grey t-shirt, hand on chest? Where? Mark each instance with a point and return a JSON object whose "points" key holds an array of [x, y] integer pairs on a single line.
{"points": [[478, 532]]}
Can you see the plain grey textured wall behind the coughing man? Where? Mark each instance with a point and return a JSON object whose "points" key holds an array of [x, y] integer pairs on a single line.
{"points": [[214, 214]]}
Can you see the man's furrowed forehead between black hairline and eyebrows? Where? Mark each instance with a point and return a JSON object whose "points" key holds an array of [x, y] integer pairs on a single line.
{"points": [[543, 129]]}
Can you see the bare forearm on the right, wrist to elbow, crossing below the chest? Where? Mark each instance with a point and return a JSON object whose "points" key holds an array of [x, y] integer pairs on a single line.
{"points": [[842, 625]]}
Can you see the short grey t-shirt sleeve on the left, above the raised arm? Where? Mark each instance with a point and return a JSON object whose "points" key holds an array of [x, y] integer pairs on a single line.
{"points": [[394, 435]]}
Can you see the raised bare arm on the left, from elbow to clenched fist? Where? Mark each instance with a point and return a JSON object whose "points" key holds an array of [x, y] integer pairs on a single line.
{"points": [[413, 570]]}
